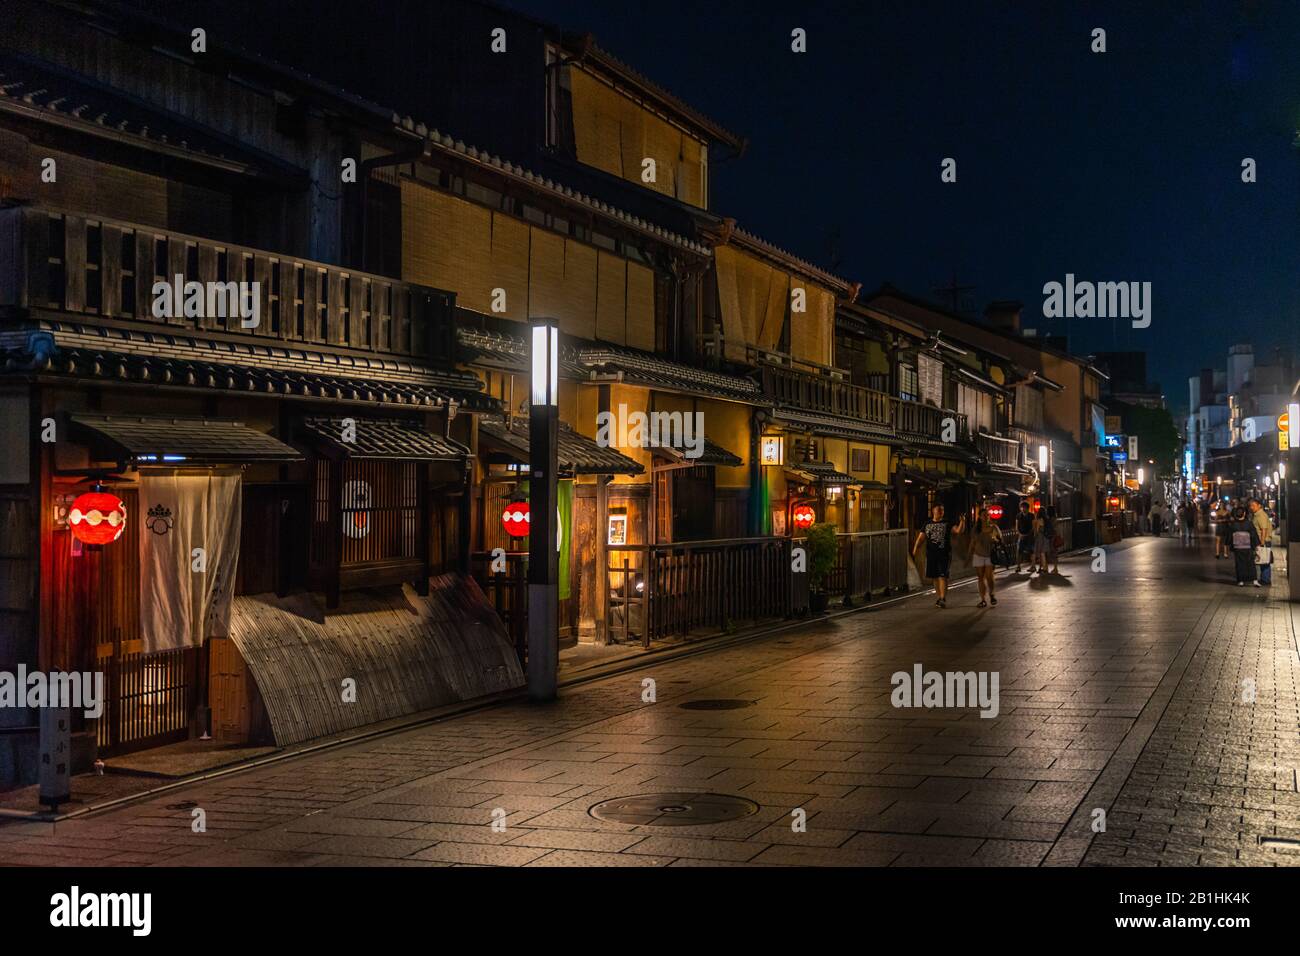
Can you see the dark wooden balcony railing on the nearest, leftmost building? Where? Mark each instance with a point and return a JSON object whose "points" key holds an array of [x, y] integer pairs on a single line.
{"points": [[105, 271]]}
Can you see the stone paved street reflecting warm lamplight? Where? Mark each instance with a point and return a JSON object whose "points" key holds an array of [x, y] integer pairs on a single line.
{"points": [[1121, 691]]}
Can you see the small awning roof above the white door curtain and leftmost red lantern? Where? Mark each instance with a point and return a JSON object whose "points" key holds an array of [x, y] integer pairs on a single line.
{"points": [[167, 440]]}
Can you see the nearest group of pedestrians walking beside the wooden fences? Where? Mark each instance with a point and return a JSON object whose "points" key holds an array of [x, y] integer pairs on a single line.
{"points": [[1037, 543]]}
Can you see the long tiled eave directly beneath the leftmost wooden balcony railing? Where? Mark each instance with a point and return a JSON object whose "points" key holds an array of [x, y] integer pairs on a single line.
{"points": [[183, 367]]}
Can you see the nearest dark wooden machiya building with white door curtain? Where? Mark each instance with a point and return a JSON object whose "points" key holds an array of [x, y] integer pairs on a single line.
{"points": [[284, 452]]}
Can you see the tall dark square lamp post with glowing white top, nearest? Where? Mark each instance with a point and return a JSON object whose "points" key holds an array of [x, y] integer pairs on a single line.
{"points": [[543, 548]]}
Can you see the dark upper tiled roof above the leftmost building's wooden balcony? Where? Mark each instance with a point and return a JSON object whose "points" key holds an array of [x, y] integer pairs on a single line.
{"points": [[51, 94]]}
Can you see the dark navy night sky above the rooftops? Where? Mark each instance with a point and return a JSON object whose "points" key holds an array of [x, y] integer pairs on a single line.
{"points": [[1115, 167]]}
